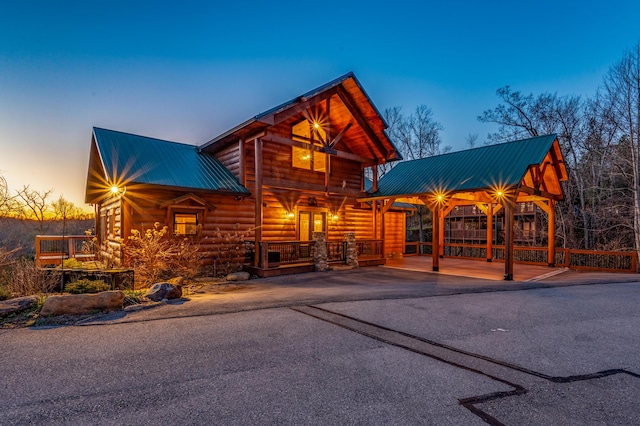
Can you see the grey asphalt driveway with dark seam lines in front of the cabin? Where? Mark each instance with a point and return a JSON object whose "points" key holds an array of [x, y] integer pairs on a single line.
{"points": [[370, 346]]}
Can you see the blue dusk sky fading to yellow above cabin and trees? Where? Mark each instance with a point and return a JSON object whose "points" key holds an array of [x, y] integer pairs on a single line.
{"points": [[188, 71]]}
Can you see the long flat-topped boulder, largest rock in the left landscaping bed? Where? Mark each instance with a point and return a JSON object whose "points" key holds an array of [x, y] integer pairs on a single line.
{"points": [[76, 304]]}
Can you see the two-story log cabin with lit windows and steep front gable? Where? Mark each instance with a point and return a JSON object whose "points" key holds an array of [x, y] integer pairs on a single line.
{"points": [[296, 169]]}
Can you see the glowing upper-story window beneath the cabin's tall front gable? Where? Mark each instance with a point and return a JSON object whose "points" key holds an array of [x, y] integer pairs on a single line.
{"points": [[310, 133]]}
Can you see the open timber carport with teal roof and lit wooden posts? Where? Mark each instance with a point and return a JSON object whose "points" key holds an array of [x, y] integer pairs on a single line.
{"points": [[492, 177]]}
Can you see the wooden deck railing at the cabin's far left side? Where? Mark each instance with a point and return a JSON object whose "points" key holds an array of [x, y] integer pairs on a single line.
{"points": [[53, 249]]}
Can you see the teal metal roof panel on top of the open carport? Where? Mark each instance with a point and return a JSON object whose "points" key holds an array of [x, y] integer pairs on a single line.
{"points": [[474, 169]]}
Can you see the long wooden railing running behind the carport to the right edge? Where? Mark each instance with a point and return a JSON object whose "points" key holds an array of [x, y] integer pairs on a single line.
{"points": [[612, 261]]}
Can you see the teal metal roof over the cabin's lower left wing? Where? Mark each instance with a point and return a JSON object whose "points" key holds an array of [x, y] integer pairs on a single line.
{"points": [[142, 160]]}
